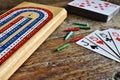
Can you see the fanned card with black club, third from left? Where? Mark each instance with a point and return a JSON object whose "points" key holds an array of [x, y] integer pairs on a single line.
{"points": [[104, 36]]}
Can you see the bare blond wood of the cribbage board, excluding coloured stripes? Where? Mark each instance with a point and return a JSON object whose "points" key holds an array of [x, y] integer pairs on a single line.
{"points": [[18, 58]]}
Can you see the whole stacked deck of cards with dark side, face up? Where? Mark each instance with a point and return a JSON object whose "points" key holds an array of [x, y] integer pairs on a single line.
{"points": [[94, 9]]}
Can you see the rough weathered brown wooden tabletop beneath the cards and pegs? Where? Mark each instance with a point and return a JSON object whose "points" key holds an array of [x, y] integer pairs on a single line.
{"points": [[72, 63]]}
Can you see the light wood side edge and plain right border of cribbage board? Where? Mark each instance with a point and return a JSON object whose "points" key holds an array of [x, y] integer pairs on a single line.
{"points": [[18, 58]]}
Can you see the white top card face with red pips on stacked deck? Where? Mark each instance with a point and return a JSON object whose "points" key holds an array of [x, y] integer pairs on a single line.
{"points": [[96, 6]]}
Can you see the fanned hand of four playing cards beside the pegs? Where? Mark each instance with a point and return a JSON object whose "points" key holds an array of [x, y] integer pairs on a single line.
{"points": [[106, 43]]}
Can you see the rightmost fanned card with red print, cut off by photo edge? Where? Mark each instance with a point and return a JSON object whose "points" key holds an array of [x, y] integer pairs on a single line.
{"points": [[115, 34]]}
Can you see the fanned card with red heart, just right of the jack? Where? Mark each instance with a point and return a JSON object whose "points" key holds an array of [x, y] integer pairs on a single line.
{"points": [[95, 39]]}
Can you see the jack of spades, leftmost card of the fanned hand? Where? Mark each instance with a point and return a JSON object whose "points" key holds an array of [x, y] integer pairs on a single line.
{"points": [[90, 45]]}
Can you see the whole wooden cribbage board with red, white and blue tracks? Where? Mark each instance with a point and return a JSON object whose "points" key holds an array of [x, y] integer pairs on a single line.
{"points": [[22, 30]]}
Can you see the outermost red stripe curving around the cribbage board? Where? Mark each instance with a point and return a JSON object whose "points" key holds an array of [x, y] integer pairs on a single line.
{"points": [[22, 42]]}
